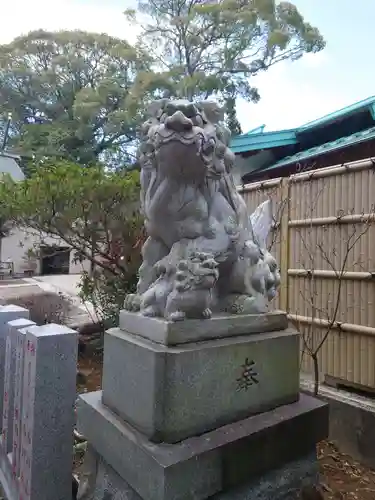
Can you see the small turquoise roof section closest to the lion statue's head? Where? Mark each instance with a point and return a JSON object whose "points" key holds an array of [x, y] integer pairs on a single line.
{"points": [[266, 140]]}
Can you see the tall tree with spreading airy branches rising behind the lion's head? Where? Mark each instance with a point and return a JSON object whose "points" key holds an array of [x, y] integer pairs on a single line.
{"points": [[212, 48]]}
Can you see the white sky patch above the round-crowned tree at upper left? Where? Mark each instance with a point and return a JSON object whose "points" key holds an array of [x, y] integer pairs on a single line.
{"points": [[21, 16]]}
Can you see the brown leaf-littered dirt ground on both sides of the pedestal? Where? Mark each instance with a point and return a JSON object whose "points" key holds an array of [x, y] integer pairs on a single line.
{"points": [[342, 478]]}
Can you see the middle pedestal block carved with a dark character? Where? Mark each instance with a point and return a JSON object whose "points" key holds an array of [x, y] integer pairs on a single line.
{"points": [[171, 393]]}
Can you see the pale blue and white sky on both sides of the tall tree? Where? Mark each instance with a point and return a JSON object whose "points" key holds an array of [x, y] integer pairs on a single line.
{"points": [[291, 93]]}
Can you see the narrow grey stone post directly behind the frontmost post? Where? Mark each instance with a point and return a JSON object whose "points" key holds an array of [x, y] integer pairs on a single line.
{"points": [[10, 379]]}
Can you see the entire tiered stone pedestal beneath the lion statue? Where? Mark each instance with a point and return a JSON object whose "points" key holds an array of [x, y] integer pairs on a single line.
{"points": [[211, 418]]}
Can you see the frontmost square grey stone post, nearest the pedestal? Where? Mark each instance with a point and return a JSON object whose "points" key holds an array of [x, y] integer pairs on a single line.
{"points": [[49, 393]]}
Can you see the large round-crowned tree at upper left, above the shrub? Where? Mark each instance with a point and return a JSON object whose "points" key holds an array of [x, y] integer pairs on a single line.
{"points": [[70, 94]]}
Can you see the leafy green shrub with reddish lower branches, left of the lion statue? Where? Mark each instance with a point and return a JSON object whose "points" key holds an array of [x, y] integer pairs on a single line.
{"points": [[95, 212]]}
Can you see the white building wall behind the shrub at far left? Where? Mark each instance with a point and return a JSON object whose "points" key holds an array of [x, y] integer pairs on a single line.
{"points": [[15, 246]]}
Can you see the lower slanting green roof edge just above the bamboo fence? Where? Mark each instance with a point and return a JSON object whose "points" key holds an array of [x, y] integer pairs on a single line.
{"points": [[328, 147]]}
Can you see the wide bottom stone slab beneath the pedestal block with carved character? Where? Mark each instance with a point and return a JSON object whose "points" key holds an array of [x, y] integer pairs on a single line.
{"points": [[202, 466]]}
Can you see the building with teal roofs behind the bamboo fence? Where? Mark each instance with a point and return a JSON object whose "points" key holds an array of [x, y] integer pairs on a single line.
{"points": [[345, 135]]}
